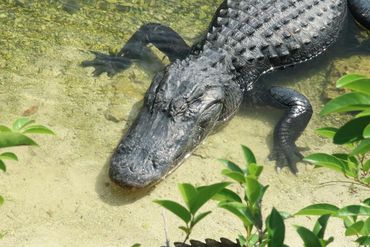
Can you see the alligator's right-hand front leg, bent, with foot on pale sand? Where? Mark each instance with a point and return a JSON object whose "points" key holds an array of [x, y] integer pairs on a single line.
{"points": [[297, 114]]}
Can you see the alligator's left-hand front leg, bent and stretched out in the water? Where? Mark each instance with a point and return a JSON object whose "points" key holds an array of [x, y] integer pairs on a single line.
{"points": [[135, 50]]}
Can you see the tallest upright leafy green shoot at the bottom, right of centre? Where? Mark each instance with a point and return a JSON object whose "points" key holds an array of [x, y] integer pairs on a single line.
{"points": [[248, 209]]}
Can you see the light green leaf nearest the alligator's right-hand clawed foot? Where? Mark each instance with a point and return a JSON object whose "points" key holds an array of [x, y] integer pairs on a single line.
{"points": [[326, 160]]}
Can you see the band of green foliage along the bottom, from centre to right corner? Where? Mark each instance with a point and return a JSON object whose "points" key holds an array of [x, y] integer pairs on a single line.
{"points": [[247, 208]]}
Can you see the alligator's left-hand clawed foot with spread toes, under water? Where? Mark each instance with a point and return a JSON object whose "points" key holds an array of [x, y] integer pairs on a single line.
{"points": [[110, 64]]}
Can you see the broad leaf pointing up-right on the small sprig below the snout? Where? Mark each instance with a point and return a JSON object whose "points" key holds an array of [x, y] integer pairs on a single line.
{"points": [[206, 193]]}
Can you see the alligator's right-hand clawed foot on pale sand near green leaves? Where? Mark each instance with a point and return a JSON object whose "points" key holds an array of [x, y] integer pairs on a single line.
{"points": [[286, 156]]}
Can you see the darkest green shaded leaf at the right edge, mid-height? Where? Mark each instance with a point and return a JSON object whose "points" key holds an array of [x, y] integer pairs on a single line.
{"points": [[351, 131]]}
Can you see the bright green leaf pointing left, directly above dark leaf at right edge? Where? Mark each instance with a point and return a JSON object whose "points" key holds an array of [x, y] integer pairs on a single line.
{"points": [[347, 102]]}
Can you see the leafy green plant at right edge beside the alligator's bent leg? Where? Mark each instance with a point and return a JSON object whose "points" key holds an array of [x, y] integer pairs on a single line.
{"points": [[355, 134]]}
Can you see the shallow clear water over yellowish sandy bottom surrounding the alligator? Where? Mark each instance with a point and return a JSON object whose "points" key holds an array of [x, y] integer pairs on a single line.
{"points": [[60, 195]]}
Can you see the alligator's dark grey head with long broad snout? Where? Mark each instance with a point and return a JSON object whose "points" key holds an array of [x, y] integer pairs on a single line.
{"points": [[181, 107]]}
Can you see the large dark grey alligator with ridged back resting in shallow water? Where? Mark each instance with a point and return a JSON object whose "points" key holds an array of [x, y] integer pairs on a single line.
{"points": [[205, 84]]}
